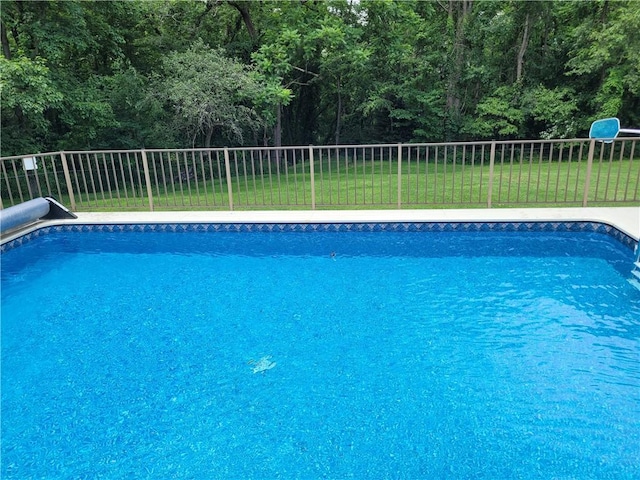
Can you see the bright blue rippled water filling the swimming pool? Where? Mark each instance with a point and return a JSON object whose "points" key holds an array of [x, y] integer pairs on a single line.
{"points": [[383, 355]]}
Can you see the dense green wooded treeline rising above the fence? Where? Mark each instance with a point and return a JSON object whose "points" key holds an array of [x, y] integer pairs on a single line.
{"points": [[155, 74]]}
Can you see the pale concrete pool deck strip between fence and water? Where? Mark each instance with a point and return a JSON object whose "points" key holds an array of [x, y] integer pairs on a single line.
{"points": [[625, 219]]}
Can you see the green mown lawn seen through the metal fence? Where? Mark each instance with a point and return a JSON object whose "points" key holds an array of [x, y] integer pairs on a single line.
{"points": [[368, 184]]}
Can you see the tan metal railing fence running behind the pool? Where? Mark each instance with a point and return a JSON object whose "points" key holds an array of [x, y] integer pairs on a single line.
{"points": [[479, 174]]}
